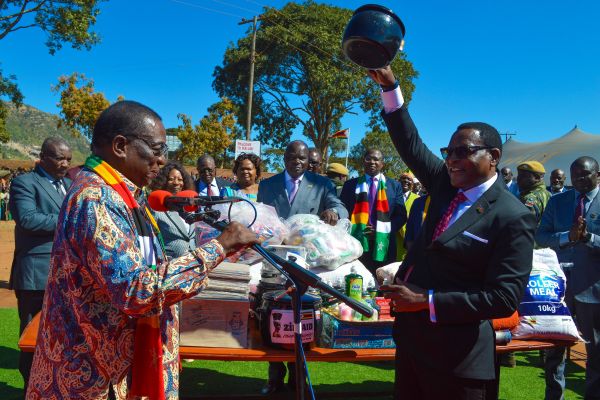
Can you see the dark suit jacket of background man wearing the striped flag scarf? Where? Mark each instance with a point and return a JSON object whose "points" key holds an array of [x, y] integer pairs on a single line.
{"points": [[395, 203]]}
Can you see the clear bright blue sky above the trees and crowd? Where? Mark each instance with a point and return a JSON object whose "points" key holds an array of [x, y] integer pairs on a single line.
{"points": [[526, 67]]}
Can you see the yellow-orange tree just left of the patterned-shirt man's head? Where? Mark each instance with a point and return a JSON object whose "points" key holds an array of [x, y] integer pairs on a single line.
{"points": [[80, 104]]}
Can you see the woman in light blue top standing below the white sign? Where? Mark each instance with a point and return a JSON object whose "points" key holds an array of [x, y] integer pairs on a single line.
{"points": [[247, 169]]}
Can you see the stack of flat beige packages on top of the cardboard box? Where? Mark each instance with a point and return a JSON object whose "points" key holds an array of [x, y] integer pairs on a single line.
{"points": [[229, 281]]}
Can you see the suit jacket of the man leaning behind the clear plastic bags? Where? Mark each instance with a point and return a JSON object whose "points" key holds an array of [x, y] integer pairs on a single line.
{"points": [[315, 195]]}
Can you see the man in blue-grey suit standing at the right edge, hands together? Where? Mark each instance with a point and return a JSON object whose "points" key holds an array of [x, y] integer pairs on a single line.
{"points": [[571, 226]]}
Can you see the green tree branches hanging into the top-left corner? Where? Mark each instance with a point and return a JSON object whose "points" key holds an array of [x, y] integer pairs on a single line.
{"points": [[63, 21]]}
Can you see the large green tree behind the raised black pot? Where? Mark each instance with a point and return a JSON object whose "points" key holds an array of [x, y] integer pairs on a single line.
{"points": [[301, 76]]}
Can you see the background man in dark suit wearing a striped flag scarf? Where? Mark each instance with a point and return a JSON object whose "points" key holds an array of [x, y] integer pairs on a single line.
{"points": [[396, 212]]}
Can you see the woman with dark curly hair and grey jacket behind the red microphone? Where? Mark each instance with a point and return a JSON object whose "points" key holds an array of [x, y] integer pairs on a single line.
{"points": [[177, 234]]}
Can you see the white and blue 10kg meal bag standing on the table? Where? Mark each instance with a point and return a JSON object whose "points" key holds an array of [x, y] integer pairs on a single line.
{"points": [[543, 312]]}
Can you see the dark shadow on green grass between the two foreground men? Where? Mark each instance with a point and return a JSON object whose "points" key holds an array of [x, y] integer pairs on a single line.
{"points": [[201, 383]]}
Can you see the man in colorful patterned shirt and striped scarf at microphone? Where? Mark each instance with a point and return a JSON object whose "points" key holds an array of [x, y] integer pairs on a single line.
{"points": [[109, 324]]}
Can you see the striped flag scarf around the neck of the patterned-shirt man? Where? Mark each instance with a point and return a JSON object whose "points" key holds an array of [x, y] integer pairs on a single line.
{"points": [[146, 370]]}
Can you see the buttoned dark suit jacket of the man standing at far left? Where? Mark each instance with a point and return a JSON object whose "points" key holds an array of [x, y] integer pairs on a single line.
{"points": [[34, 204]]}
